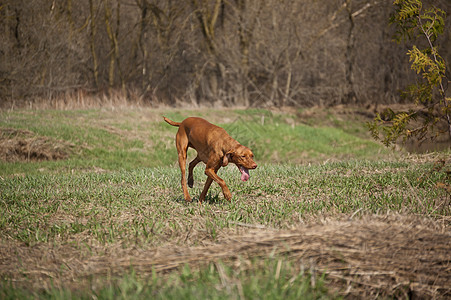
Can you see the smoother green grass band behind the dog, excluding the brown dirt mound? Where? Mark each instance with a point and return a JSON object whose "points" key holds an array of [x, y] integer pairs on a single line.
{"points": [[125, 140]]}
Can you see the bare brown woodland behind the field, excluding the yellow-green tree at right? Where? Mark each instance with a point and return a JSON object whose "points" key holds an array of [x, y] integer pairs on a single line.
{"points": [[206, 52]]}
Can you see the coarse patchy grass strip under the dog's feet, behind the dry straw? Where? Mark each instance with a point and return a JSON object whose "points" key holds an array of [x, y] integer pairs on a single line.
{"points": [[105, 206]]}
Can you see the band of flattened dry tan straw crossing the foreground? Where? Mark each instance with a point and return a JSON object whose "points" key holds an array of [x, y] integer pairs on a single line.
{"points": [[376, 256]]}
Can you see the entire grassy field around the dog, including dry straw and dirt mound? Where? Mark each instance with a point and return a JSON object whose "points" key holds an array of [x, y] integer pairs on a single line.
{"points": [[91, 207]]}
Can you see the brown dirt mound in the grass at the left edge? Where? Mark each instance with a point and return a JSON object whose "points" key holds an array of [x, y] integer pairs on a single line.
{"points": [[24, 145]]}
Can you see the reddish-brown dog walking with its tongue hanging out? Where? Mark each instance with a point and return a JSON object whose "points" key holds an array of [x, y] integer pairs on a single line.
{"points": [[215, 148]]}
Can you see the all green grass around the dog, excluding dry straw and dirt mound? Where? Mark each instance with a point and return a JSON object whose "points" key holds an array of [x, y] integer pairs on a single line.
{"points": [[120, 188]]}
